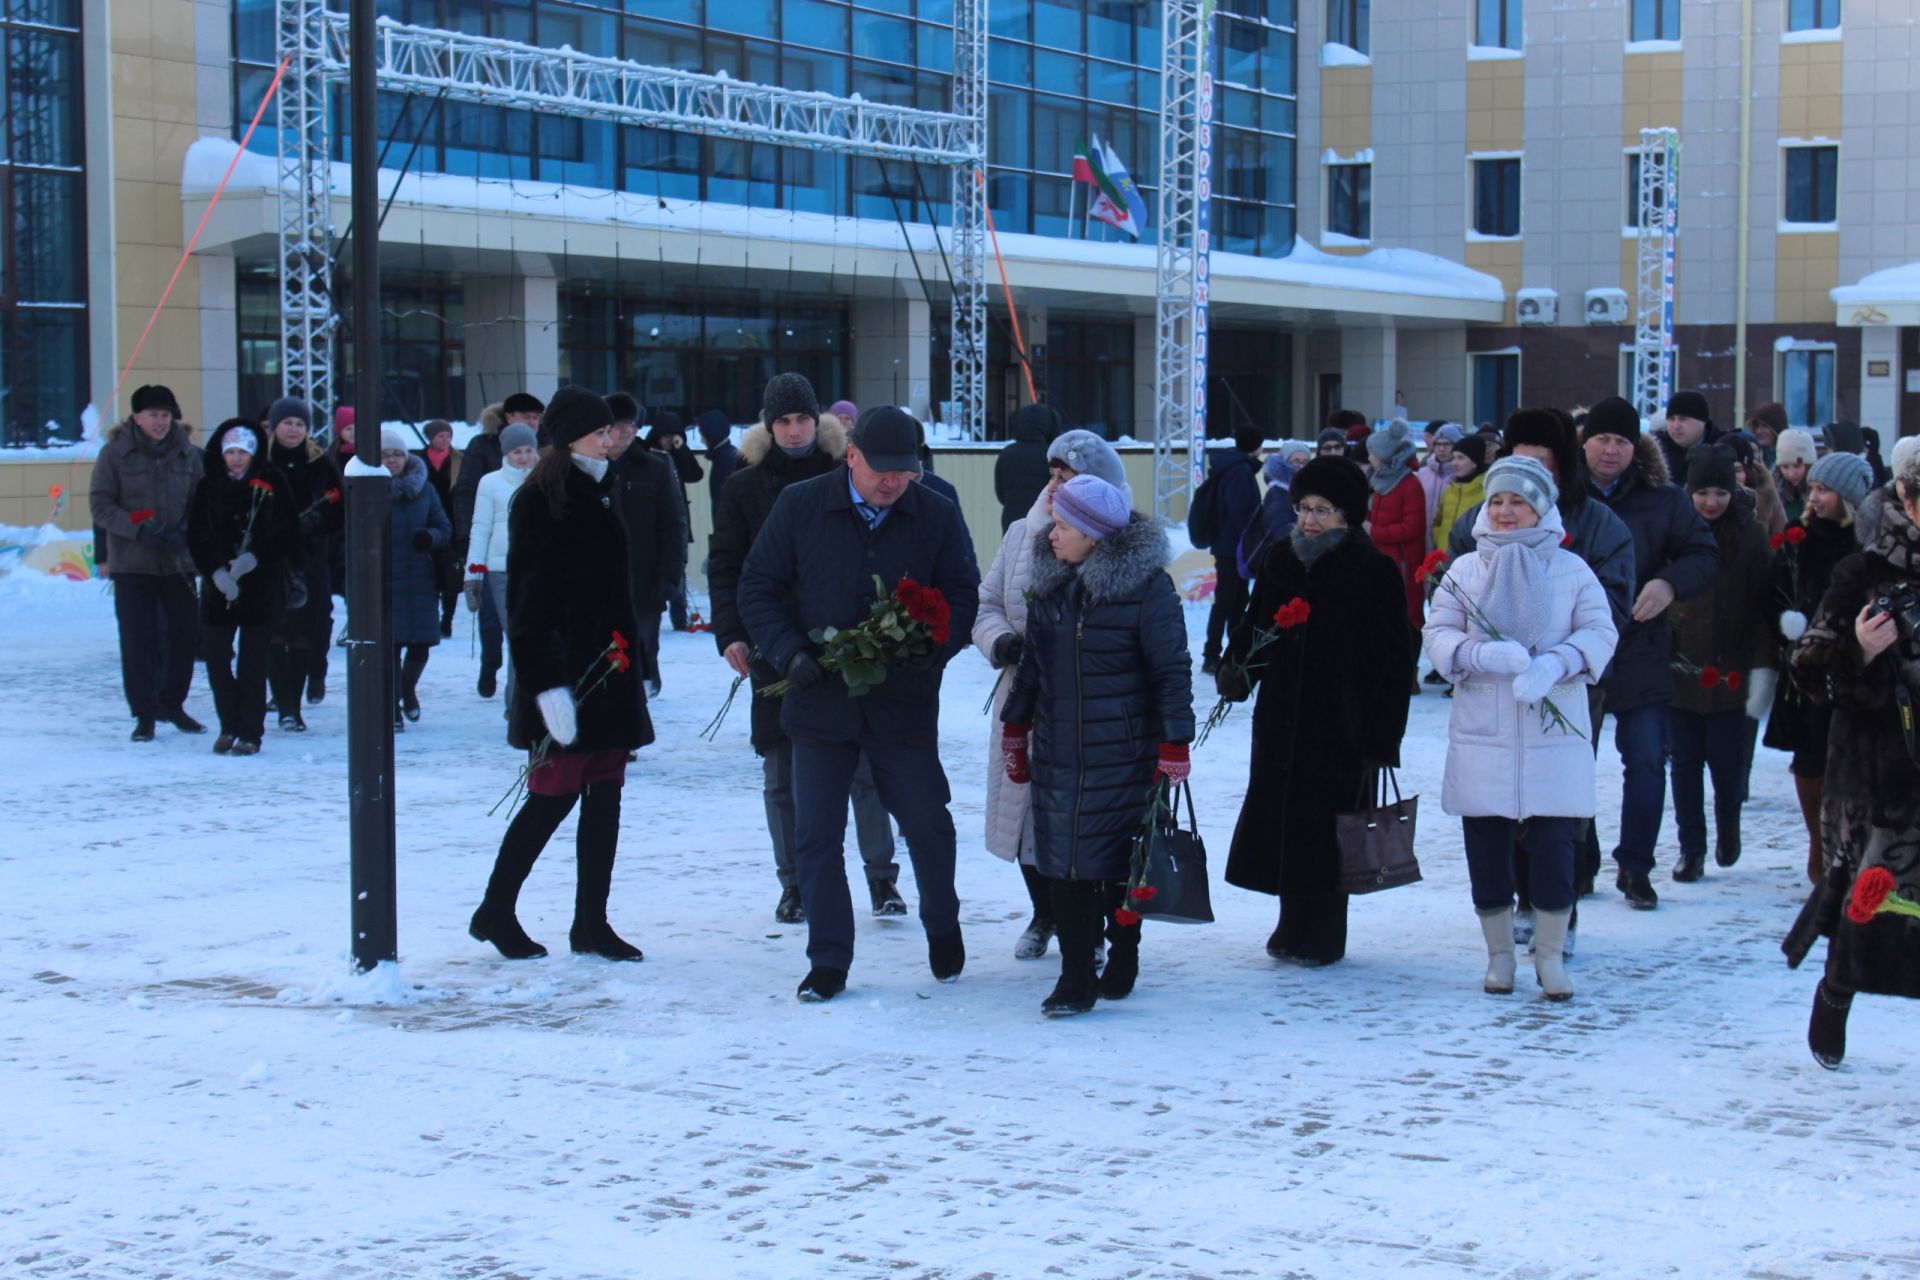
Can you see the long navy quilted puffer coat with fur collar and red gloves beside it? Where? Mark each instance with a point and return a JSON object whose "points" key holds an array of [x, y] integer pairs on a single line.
{"points": [[1105, 678]]}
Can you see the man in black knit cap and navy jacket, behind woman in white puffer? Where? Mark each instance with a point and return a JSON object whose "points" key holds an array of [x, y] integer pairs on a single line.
{"points": [[1675, 557]]}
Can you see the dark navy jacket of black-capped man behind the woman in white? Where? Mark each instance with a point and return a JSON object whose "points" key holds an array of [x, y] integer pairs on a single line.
{"points": [[1669, 542]]}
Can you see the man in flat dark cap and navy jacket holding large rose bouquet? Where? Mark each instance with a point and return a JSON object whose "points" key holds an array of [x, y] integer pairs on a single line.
{"points": [[813, 567]]}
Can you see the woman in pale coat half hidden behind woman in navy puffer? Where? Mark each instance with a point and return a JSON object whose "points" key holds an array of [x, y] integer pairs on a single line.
{"points": [[999, 632]]}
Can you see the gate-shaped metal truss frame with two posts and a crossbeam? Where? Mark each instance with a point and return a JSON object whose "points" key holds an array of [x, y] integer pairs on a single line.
{"points": [[504, 74]]}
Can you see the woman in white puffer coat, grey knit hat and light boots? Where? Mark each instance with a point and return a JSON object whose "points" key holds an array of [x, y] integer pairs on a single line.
{"points": [[1520, 625]]}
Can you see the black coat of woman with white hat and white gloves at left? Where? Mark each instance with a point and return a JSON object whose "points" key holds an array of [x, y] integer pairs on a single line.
{"points": [[218, 521]]}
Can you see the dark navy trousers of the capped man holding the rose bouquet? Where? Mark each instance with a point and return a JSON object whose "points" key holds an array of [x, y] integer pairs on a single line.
{"points": [[915, 790]]}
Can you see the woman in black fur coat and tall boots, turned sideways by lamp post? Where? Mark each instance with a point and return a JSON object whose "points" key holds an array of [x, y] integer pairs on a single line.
{"points": [[577, 703]]}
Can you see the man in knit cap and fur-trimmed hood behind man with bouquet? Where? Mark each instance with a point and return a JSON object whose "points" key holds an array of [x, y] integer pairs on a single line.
{"points": [[792, 444]]}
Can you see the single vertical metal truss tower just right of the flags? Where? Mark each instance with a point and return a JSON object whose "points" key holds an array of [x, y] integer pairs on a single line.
{"points": [[1182, 239]]}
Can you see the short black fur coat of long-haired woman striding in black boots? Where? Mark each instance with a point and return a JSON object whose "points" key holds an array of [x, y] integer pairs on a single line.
{"points": [[567, 596]]}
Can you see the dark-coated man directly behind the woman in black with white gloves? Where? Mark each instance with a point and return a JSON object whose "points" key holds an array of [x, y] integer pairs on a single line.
{"points": [[648, 500]]}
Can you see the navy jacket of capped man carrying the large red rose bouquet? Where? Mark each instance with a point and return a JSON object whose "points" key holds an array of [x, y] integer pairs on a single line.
{"points": [[815, 565]]}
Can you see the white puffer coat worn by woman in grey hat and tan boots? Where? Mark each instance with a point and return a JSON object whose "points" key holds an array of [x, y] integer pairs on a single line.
{"points": [[1506, 759]]}
